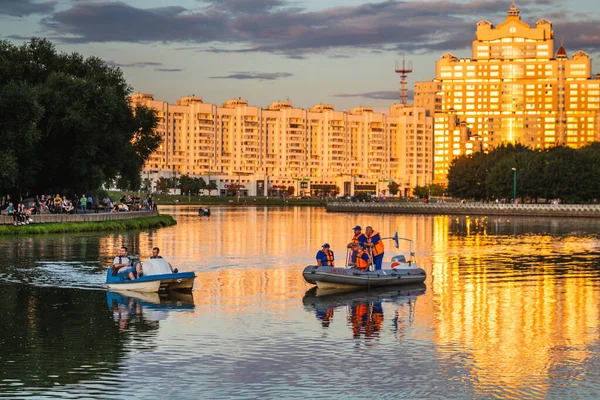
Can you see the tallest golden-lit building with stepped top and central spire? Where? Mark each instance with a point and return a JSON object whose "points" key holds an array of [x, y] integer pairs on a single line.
{"points": [[514, 89]]}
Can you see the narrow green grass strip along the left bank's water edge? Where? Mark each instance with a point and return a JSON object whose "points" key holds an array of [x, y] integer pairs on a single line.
{"points": [[70, 227]]}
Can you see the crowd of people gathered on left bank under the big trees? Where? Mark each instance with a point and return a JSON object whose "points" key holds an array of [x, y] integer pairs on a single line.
{"points": [[23, 211]]}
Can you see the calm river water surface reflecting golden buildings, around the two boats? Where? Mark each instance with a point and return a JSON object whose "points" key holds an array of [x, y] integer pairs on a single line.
{"points": [[510, 309]]}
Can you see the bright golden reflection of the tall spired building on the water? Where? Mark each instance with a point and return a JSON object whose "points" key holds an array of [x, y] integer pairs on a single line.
{"points": [[518, 303]]}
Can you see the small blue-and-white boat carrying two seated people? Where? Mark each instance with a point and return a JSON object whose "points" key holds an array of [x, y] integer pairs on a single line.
{"points": [[156, 276]]}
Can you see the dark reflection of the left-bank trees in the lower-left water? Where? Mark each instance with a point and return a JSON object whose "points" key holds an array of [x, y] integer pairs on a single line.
{"points": [[62, 336]]}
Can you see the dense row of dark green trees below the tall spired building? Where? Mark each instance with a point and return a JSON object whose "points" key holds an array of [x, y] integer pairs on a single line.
{"points": [[559, 173]]}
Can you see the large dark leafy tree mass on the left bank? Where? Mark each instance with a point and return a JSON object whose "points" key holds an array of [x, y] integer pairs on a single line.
{"points": [[73, 125]]}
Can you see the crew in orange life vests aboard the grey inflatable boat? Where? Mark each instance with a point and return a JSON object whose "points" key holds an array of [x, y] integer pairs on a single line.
{"points": [[366, 249]]}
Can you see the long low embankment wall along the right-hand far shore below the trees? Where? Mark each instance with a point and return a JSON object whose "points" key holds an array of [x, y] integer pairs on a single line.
{"points": [[525, 210]]}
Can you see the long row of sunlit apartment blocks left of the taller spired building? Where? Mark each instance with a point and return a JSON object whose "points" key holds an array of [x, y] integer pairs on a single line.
{"points": [[319, 150]]}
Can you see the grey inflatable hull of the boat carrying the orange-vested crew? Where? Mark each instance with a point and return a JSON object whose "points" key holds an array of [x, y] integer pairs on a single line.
{"points": [[346, 278]]}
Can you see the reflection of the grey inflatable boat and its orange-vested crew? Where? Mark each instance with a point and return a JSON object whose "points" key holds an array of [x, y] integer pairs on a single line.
{"points": [[364, 309]]}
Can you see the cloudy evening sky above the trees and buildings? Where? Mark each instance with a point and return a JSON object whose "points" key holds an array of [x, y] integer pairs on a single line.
{"points": [[339, 52]]}
